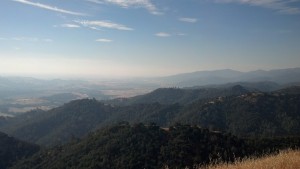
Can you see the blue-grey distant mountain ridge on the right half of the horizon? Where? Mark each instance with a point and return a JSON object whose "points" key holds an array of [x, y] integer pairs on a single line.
{"points": [[200, 78]]}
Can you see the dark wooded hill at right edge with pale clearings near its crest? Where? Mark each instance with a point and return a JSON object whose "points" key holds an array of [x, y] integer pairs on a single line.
{"points": [[253, 114]]}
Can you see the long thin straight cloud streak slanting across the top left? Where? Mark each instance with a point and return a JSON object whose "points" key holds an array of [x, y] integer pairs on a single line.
{"points": [[48, 7]]}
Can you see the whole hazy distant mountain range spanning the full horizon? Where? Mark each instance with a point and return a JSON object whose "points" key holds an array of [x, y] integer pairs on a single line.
{"points": [[11, 87]]}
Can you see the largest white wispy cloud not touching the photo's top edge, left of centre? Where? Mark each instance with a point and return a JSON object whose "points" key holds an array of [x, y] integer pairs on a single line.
{"points": [[103, 24]]}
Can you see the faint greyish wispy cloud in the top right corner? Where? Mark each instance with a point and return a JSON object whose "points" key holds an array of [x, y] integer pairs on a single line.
{"points": [[283, 6]]}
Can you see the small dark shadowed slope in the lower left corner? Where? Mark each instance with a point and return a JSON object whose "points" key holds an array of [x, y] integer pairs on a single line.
{"points": [[12, 149]]}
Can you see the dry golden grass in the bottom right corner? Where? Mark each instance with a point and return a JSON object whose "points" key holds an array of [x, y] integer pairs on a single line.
{"points": [[284, 160]]}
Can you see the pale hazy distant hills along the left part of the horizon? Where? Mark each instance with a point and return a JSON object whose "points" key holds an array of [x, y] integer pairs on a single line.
{"points": [[18, 87]]}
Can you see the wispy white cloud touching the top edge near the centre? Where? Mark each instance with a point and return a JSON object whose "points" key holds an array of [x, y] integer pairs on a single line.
{"points": [[147, 4]]}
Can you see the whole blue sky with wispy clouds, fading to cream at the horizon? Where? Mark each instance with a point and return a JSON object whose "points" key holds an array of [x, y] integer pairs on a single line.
{"points": [[146, 38]]}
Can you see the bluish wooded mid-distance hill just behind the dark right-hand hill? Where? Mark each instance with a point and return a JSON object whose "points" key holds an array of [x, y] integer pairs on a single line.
{"points": [[181, 95]]}
